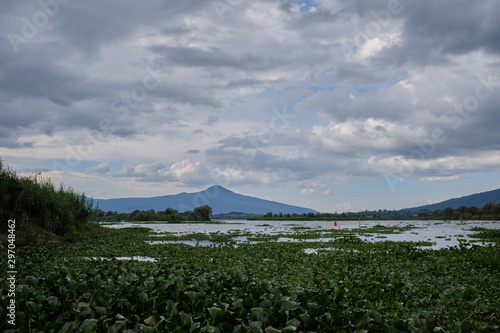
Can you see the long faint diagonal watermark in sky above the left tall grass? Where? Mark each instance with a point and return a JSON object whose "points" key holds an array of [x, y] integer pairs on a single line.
{"points": [[122, 106]]}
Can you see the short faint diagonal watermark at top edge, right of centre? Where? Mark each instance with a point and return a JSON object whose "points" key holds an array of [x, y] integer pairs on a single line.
{"points": [[372, 29]]}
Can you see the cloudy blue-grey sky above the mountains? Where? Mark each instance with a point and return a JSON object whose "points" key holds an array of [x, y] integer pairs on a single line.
{"points": [[331, 105]]}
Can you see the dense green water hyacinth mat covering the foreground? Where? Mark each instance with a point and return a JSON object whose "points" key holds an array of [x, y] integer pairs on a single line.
{"points": [[263, 287]]}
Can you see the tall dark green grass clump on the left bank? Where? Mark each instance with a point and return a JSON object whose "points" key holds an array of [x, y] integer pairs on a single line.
{"points": [[34, 202]]}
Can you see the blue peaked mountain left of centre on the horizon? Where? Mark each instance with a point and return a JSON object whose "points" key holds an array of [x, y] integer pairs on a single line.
{"points": [[219, 198]]}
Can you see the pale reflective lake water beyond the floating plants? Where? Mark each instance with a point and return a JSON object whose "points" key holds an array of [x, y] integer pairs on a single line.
{"points": [[441, 234]]}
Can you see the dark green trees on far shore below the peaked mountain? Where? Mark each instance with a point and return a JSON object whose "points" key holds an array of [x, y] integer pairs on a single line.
{"points": [[201, 213]]}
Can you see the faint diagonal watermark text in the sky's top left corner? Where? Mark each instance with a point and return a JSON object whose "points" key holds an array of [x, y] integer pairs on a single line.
{"points": [[31, 26]]}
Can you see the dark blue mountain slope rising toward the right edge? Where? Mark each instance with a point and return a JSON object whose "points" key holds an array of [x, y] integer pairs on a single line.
{"points": [[477, 200]]}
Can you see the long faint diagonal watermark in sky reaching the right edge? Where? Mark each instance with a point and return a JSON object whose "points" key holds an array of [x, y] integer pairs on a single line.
{"points": [[455, 117]]}
